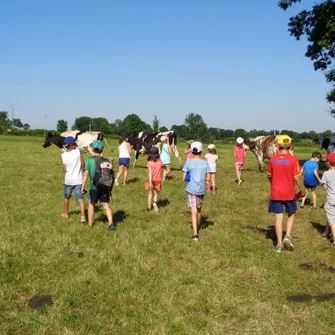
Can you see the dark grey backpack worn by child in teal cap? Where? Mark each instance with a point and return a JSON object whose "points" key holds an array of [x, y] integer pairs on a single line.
{"points": [[104, 175]]}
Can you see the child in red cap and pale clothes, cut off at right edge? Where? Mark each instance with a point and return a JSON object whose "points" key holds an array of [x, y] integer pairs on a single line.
{"points": [[328, 180]]}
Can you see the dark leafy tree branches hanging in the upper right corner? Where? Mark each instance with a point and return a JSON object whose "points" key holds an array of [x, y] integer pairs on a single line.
{"points": [[318, 25]]}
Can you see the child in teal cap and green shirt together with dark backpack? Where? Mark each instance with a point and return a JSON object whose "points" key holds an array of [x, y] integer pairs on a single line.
{"points": [[100, 171]]}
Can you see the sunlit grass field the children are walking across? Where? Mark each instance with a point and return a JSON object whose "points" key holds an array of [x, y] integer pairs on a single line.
{"points": [[149, 277]]}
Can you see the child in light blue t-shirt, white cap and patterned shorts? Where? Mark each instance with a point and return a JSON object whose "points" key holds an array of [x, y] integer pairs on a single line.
{"points": [[199, 174]]}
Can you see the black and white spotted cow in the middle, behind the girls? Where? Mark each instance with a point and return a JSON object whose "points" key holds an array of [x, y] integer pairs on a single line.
{"points": [[146, 140]]}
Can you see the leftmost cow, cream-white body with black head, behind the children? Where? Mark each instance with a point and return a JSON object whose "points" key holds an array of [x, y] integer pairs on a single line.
{"points": [[84, 139]]}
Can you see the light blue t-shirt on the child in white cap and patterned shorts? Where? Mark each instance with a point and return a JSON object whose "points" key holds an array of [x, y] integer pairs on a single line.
{"points": [[198, 170]]}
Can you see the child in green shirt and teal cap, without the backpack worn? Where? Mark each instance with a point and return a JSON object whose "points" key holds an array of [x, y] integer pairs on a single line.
{"points": [[96, 195]]}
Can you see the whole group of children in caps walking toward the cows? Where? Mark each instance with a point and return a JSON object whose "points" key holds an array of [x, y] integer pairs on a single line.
{"points": [[284, 173]]}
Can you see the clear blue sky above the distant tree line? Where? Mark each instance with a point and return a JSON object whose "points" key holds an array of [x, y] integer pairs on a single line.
{"points": [[233, 62]]}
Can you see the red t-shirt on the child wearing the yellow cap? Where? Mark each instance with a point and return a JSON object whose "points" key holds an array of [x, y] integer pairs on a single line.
{"points": [[283, 168]]}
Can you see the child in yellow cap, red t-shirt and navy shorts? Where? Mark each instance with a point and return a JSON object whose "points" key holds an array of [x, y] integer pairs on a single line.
{"points": [[283, 173]]}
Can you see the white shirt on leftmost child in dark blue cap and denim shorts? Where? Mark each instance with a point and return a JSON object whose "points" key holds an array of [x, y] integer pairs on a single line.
{"points": [[74, 174]]}
